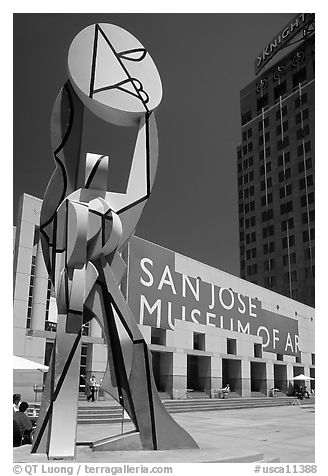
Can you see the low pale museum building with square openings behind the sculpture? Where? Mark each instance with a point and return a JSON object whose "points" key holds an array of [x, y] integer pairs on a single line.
{"points": [[205, 328]]}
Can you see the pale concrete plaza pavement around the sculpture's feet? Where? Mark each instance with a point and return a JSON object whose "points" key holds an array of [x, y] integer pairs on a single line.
{"points": [[284, 432]]}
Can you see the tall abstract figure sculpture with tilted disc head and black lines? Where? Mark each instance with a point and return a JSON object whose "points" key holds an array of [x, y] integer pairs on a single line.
{"points": [[84, 227]]}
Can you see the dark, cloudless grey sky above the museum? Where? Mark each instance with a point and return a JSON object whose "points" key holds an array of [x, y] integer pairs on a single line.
{"points": [[204, 60]]}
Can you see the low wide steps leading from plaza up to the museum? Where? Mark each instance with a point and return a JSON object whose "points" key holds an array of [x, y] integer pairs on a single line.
{"points": [[111, 412]]}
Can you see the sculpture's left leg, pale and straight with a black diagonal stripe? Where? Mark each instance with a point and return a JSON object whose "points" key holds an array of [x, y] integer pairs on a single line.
{"points": [[56, 428]]}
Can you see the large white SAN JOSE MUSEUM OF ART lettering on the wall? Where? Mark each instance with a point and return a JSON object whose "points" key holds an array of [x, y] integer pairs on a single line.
{"points": [[159, 296]]}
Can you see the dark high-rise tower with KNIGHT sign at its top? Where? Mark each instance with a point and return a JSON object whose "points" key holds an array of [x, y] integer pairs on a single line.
{"points": [[276, 165]]}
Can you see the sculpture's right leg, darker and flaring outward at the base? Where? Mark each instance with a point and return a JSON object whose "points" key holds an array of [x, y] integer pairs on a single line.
{"points": [[158, 430]]}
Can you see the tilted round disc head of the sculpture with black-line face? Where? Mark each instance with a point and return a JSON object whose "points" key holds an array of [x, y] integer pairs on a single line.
{"points": [[113, 74]]}
